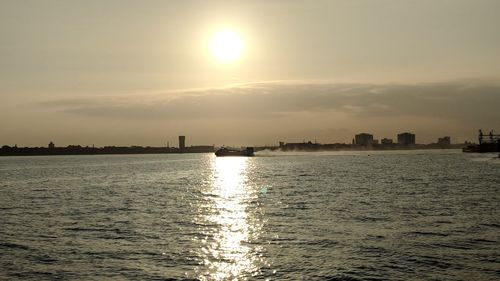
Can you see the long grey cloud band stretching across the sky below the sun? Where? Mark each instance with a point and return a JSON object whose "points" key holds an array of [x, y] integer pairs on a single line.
{"points": [[459, 100]]}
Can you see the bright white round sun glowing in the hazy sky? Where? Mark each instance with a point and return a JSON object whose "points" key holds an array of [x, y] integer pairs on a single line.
{"points": [[226, 46]]}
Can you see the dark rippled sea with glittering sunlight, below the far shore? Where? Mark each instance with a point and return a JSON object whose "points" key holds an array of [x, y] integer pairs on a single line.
{"points": [[371, 215]]}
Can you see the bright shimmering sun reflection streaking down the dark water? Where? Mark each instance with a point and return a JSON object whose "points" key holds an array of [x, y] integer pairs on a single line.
{"points": [[230, 227]]}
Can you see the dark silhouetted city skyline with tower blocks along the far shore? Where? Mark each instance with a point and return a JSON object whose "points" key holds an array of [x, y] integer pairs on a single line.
{"points": [[361, 141]]}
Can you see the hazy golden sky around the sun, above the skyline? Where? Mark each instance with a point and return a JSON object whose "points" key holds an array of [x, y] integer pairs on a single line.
{"points": [[141, 72]]}
